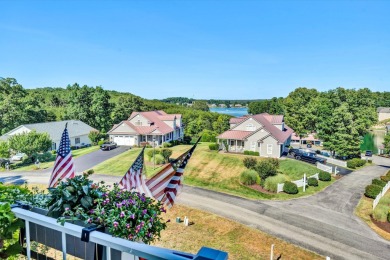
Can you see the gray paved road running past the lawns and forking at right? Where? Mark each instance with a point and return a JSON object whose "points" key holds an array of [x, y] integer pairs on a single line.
{"points": [[324, 222]]}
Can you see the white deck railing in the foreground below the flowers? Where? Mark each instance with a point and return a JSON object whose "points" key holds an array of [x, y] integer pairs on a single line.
{"points": [[127, 249]]}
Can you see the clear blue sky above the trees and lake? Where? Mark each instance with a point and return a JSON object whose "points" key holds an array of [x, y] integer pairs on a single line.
{"points": [[200, 49]]}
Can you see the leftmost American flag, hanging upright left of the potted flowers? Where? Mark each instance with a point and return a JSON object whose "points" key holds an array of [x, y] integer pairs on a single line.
{"points": [[63, 167]]}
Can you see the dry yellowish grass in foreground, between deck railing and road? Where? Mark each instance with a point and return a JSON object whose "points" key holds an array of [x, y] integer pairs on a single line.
{"points": [[239, 241]]}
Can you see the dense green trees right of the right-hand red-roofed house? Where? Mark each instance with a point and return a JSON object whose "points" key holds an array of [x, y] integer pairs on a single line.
{"points": [[340, 117]]}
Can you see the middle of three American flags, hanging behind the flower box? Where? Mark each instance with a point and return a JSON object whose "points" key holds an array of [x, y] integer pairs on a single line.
{"points": [[134, 179]]}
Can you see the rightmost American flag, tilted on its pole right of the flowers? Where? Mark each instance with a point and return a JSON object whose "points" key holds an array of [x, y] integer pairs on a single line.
{"points": [[165, 185]]}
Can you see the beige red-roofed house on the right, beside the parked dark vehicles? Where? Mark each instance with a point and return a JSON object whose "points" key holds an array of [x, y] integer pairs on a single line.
{"points": [[263, 133]]}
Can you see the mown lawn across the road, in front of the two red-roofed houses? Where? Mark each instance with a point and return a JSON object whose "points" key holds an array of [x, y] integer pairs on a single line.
{"points": [[215, 171]]}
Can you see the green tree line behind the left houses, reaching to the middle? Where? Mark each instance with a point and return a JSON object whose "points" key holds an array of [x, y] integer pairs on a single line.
{"points": [[95, 106]]}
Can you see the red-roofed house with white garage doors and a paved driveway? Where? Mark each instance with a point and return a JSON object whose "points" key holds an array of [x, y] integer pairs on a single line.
{"points": [[151, 126]]}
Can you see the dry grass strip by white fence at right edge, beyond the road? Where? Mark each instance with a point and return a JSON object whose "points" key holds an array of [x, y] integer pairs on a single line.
{"points": [[364, 211]]}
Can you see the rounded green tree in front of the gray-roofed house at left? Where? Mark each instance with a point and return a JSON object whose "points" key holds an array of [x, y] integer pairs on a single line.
{"points": [[30, 143]]}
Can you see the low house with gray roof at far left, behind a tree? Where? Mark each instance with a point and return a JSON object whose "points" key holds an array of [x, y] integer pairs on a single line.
{"points": [[78, 131]]}
